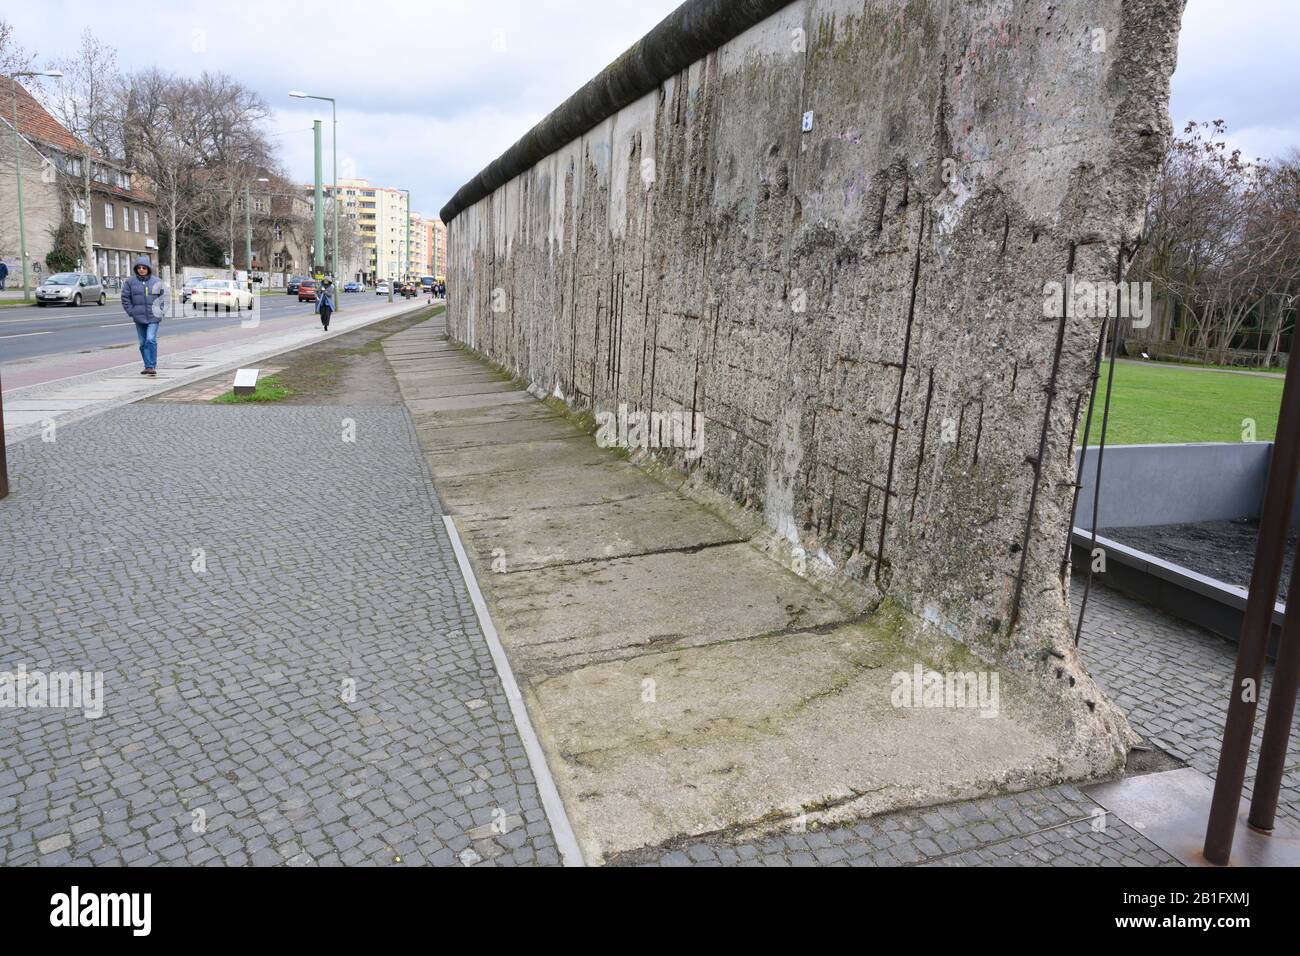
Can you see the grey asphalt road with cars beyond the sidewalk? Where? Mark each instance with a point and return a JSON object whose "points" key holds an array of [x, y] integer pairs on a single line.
{"points": [[31, 331]]}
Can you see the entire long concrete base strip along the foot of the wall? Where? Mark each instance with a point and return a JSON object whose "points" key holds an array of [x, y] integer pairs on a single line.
{"points": [[681, 681]]}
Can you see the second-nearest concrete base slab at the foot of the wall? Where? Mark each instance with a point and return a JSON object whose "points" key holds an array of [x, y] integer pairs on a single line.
{"points": [[565, 617]]}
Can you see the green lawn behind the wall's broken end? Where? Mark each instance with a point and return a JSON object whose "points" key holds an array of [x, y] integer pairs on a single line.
{"points": [[1160, 404]]}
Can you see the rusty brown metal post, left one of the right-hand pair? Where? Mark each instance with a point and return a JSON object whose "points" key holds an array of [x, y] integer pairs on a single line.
{"points": [[1256, 624]]}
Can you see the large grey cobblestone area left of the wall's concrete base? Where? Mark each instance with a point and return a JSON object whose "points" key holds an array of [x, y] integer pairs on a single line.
{"points": [[237, 574]]}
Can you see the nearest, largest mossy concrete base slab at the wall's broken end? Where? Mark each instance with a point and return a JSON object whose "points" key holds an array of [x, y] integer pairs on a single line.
{"points": [[761, 732]]}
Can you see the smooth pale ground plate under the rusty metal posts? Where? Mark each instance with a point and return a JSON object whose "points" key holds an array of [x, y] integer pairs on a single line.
{"points": [[1172, 810]]}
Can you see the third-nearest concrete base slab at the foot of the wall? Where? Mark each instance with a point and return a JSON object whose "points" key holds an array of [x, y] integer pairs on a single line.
{"points": [[552, 537]]}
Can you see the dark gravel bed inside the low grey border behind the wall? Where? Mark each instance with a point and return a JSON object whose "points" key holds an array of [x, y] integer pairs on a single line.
{"points": [[1224, 551]]}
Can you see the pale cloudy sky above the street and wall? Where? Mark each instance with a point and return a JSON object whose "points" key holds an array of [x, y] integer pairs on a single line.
{"points": [[430, 93]]}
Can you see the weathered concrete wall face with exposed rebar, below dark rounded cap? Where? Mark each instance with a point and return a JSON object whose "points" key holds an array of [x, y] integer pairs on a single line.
{"points": [[856, 312]]}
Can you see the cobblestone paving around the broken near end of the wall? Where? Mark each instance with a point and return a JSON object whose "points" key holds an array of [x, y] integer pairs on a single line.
{"points": [[1173, 681]]}
